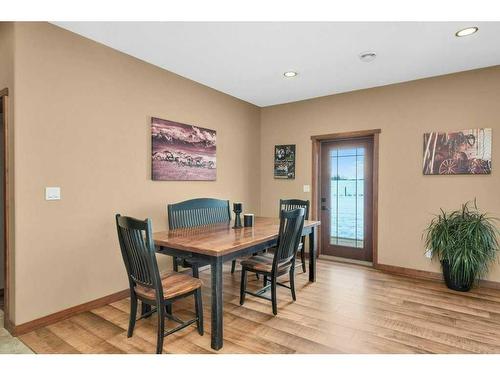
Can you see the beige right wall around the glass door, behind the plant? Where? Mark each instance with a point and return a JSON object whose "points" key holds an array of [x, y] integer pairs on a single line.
{"points": [[407, 199]]}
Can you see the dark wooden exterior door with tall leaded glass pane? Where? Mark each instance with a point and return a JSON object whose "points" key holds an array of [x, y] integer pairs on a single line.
{"points": [[346, 198]]}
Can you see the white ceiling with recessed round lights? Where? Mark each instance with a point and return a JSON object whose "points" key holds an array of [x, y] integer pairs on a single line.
{"points": [[247, 59]]}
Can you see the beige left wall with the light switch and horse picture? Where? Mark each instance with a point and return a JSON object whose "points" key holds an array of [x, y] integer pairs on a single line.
{"points": [[83, 123]]}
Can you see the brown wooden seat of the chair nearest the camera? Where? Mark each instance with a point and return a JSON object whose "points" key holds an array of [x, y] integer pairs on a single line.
{"points": [[174, 284]]}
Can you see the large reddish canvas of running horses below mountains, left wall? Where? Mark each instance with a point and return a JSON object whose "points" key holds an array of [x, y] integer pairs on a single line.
{"points": [[182, 152]]}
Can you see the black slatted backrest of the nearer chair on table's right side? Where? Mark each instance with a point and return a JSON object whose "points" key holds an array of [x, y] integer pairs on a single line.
{"points": [[290, 232]]}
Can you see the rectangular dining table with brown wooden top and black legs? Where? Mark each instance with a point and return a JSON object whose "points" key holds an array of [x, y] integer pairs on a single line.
{"points": [[218, 243]]}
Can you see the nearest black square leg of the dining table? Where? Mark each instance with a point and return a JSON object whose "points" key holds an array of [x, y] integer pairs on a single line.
{"points": [[217, 311]]}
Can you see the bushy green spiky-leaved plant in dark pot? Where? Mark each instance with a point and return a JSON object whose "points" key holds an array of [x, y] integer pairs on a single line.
{"points": [[466, 243]]}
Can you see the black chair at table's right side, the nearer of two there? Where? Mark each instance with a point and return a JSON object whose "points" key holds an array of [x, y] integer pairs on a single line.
{"points": [[281, 263]]}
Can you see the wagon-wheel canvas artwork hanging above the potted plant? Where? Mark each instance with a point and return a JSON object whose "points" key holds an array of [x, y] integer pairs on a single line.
{"points": [[459, 152]]}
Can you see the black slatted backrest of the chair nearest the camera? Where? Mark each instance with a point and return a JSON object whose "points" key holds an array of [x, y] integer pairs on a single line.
{"points": [[138, 252]]}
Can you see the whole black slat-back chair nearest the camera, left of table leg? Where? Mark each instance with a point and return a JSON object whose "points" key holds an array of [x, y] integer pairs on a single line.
{"points": [[146, 284]]}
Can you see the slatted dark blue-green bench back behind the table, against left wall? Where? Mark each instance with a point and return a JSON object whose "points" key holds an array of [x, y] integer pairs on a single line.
{"points": [[198, 212]]}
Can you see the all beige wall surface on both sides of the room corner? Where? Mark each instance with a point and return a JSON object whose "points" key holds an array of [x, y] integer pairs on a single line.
{"points": [[82, 115]]}
